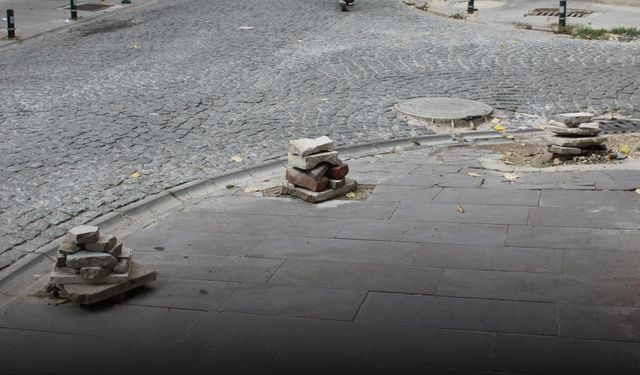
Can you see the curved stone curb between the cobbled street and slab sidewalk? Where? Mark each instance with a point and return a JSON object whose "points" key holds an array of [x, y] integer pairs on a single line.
{"points": [[144, 212]]}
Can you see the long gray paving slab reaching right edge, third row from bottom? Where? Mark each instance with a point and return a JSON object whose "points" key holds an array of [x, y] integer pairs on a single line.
{"points": [[539, 287]]}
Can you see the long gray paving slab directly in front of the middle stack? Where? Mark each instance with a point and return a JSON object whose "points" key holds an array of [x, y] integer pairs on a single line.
{"points": [[295, 207]]}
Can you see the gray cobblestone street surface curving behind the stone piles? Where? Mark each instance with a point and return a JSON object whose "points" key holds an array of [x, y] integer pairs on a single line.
{"points": [[175, 90]]}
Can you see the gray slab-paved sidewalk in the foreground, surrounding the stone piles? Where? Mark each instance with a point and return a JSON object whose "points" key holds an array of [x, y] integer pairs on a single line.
{"points": [[537, 276]]}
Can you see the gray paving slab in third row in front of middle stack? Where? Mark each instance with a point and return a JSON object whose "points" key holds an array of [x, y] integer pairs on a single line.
{"points": [[356, 251]]}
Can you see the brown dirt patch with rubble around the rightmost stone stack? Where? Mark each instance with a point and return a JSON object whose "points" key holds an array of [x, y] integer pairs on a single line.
{"points": [[532, 152]]}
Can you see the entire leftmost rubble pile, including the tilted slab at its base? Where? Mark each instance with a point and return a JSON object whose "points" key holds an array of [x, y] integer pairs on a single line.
{"points": [[91, 266]]}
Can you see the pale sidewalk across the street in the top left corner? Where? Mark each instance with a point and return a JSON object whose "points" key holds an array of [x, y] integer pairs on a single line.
{"points": [[34, 17]]}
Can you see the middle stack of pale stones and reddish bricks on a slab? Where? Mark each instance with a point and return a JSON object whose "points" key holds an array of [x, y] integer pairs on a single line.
{"points": [[315, 172]]}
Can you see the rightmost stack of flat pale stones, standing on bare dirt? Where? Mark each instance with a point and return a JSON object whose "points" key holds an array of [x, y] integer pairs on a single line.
{"points": [[574, 134]]}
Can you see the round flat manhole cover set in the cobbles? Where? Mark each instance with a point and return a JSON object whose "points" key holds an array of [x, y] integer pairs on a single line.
{"points": [[443, 109]]}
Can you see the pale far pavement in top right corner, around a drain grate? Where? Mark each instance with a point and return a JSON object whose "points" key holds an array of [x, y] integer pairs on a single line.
{"points": [[517, 11]]}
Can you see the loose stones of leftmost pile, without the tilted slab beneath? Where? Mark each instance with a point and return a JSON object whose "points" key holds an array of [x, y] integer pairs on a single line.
{"points": [[91, 257]]}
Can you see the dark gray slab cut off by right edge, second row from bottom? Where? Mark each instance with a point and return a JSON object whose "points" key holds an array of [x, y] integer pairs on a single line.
{"points": [[599, 322]]}
